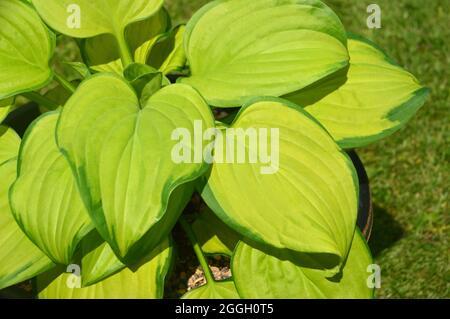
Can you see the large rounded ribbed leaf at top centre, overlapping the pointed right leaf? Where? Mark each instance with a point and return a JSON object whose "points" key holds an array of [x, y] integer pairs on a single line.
{"points": [[266, 48]]}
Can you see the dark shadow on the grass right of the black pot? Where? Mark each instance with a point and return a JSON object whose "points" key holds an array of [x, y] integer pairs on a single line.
{"points": [[386, 231]]}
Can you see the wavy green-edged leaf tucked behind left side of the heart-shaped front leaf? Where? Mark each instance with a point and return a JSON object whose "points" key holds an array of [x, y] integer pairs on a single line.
{"points": [[45, 199]]}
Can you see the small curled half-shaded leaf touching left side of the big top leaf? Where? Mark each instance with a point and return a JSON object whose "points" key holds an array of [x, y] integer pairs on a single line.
{"points": [[168, 55]]}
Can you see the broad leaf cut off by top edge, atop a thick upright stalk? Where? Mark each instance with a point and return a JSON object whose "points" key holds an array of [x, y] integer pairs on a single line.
{"points": [[94, 17]]}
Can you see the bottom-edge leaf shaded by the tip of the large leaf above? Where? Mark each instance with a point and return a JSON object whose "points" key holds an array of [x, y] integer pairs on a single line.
{"points": [[268, 273]]}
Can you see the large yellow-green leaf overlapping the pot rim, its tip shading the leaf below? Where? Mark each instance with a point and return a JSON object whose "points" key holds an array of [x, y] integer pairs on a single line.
{"points": [[303, 196]]}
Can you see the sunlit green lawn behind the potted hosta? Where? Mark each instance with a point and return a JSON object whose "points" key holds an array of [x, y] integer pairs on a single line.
{"points": [[410, 171]]}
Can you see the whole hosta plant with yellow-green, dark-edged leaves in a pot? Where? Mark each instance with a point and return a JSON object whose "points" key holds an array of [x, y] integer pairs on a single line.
{"points": [[90, 194]]}
